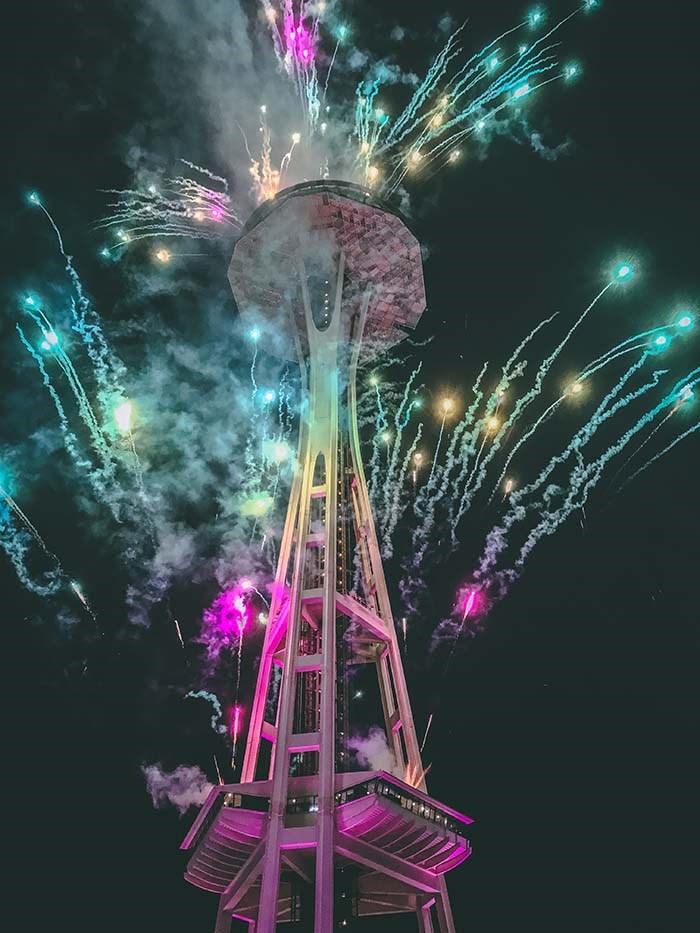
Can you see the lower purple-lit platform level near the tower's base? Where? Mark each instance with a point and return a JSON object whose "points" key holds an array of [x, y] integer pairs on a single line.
{"points": [[379, 821]]}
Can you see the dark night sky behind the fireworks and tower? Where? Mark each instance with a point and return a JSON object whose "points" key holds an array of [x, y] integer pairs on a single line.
{"points": [[568, 728]]}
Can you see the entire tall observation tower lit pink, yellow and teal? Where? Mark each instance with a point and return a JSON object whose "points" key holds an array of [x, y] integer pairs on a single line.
{"points": [[304, 838]]}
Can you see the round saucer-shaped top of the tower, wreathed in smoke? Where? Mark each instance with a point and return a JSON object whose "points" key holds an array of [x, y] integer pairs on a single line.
{"points": [[296, 241]]}
